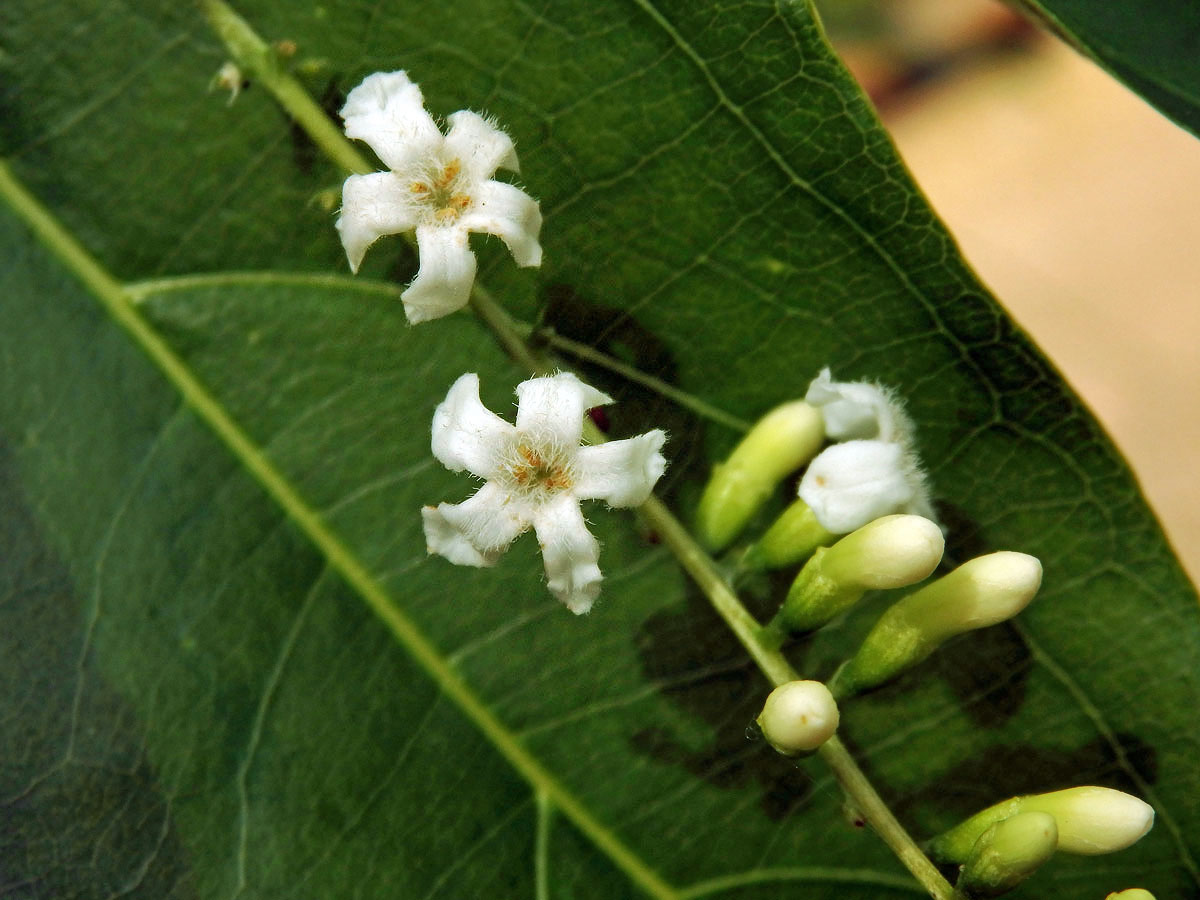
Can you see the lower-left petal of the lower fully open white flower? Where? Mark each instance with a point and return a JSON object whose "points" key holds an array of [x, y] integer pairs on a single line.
{"points": [[477, 531]]}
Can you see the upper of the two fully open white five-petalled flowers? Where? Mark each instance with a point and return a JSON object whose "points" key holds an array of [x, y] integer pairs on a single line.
{"points": [[441, 185]]}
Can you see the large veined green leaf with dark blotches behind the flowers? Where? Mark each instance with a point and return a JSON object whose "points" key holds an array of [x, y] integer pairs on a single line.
{"points": [[232, 670]]}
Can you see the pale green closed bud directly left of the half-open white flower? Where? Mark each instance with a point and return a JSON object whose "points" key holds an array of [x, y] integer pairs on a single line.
{"points": [[781, 443]]}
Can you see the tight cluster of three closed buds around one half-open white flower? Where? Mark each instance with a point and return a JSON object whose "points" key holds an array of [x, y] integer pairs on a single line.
{"points": [[863, 523]]}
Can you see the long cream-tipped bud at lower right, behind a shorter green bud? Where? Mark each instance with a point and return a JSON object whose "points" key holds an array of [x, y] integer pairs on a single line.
{"points": [[1091, 821]]}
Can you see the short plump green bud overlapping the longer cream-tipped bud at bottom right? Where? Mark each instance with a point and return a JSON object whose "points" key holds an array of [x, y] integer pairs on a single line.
{"points": [[1009, 853]]}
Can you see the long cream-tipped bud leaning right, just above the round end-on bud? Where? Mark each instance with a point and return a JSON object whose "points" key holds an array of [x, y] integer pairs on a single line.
{"points": [[980, 593]]}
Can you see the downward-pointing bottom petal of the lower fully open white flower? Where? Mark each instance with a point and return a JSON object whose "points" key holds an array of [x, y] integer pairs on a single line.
{"points": [[571, 554]]}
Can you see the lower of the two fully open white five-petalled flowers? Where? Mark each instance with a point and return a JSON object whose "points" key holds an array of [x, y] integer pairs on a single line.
{"points": [[536, 475]]}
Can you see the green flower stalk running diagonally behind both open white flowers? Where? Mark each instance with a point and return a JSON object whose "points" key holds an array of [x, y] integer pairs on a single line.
{"points": [[251, 52]]}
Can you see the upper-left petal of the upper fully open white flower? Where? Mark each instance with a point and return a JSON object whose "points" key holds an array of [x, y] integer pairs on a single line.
{"points": [[388, 112]]}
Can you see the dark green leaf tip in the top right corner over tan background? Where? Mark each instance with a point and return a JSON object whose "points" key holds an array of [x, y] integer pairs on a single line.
{"points": [[1150, 45]]}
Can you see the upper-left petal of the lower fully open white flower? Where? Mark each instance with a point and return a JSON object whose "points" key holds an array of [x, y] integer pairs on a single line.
{"points": [[466, 434]]}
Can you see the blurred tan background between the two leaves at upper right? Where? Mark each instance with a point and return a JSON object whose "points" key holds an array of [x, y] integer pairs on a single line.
{"points": [[1075, 201]]}
